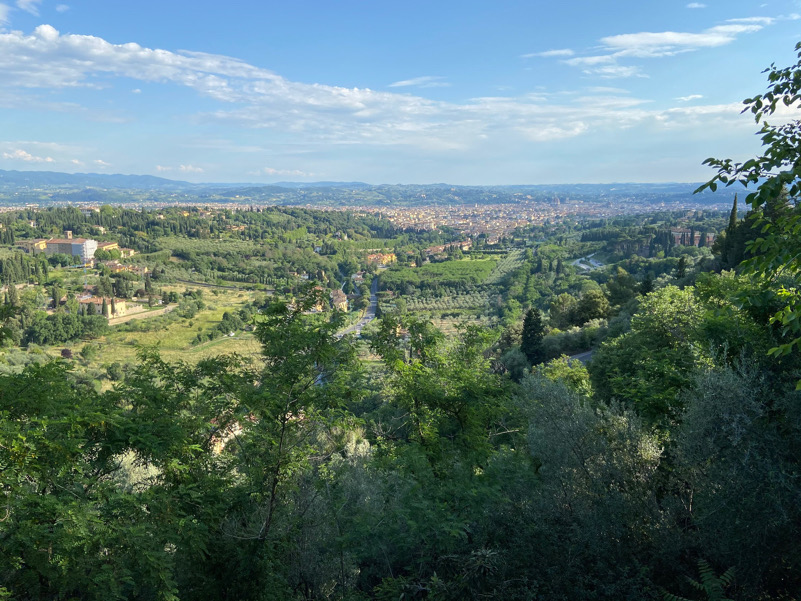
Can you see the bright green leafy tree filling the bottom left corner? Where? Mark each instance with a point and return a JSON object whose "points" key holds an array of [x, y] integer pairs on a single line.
{"points": [[68, 529]]}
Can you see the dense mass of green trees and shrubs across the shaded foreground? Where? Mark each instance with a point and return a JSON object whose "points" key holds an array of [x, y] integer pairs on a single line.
{"points": [[303, 478]]}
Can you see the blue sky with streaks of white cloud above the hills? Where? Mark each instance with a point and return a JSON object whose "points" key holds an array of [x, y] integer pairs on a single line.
{"points": [[467, 92]]}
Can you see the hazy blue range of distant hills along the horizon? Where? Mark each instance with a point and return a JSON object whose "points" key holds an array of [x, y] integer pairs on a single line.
{"points": [[44, 187]]}
